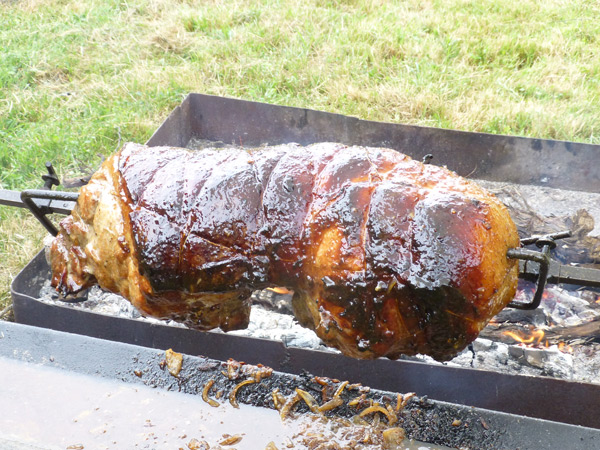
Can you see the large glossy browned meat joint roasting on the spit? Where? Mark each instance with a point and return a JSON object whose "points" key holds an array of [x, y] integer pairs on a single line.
{"points": [[385, 255]]}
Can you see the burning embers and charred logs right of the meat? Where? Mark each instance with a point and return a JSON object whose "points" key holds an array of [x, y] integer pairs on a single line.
{"points": [[559, 339]]}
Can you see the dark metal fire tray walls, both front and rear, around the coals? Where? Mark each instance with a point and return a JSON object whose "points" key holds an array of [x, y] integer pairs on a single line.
{"points": [[556, 164]]}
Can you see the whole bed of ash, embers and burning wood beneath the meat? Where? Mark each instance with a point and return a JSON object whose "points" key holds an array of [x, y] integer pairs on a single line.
{"points": [[561, 338]]}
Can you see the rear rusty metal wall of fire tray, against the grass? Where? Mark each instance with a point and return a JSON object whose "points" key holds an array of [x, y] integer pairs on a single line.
{"points": [[520, 160]]}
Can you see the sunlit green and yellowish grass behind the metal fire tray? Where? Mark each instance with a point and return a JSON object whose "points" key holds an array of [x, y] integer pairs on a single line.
{"points": [[76, 77]]}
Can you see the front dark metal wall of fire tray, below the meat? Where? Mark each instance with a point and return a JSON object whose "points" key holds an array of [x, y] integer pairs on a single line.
{"points": [[539, 397]]}
